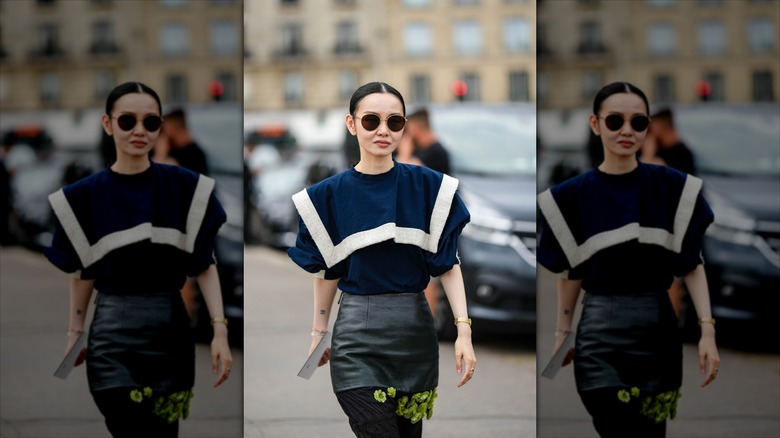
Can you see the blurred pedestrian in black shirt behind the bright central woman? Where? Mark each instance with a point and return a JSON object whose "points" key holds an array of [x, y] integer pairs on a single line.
{"points": [[426, 150]]}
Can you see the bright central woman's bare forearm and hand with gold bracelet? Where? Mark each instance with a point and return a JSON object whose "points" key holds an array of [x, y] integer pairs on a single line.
{"points": [[452, 281]]}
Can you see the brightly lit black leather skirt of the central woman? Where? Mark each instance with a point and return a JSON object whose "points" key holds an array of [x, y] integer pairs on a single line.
{"points": [[382, 341]]}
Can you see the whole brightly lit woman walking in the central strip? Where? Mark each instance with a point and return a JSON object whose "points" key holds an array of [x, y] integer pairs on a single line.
{"points": [[377, 232]]}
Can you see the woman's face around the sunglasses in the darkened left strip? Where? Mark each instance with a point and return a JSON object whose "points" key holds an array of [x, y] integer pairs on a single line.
{"points": [[137, 142]]}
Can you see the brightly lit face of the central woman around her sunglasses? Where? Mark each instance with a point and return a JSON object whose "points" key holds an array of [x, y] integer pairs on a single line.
{"points": [[382, 141]]}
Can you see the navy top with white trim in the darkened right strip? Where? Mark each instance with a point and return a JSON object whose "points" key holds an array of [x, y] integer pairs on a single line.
{"points": [[628, 233]]}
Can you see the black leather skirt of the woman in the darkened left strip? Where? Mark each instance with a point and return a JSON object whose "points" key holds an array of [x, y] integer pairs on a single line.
{"points": [[141, 341]]}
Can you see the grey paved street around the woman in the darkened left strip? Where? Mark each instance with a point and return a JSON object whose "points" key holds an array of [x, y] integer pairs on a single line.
{"points": [[33, 403]]}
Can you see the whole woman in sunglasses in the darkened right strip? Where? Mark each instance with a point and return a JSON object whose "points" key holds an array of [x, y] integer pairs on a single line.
{"points": [[622, 232]]}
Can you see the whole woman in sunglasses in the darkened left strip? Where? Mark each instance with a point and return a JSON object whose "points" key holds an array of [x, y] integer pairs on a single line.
{"points": [[134, 232]]}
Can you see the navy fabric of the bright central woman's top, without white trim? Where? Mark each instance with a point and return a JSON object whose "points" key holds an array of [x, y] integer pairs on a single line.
{"points": [[352, 202]]}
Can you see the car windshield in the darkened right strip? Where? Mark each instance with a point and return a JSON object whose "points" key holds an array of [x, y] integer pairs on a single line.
{"points": [[742, 142]]}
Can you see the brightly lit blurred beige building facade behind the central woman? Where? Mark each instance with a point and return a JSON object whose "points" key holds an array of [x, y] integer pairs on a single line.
{"points": [[315, 53]]}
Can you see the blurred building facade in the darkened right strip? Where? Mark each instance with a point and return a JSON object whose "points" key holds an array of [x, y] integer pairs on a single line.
{"points": [[674, 50]]}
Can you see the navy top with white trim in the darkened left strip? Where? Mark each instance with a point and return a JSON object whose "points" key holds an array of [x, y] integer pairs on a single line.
{"points": [[139, 233]]}
